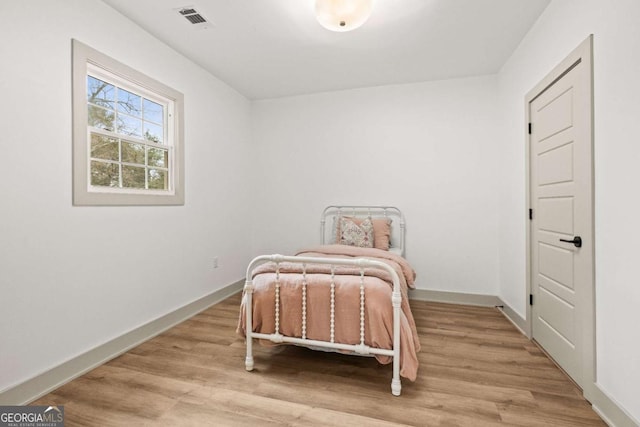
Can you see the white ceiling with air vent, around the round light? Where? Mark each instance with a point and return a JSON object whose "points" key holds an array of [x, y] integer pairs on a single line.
{"points": [[276, 48]]}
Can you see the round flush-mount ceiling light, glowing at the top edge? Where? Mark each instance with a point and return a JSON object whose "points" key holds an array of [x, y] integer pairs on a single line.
{"points": [[343, 15]]}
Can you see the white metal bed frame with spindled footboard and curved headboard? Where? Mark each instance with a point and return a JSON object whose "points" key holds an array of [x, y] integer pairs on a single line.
{"points": [[357, 349]]}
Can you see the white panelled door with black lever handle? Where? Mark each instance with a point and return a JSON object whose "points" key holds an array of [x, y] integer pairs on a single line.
{"points": [[561, 195]]}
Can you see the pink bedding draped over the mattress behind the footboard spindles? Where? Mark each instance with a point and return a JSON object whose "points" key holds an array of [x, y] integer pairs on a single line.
{"points": [[378, 308]]}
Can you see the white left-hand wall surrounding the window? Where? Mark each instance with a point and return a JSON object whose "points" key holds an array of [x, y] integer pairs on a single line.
{"points": [[72, 278]]}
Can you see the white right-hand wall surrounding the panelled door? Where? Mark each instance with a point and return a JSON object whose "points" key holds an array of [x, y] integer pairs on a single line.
{"points": [[561, 28]]}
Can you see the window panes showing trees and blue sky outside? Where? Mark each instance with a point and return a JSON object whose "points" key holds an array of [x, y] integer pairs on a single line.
{"points": [[127, 138]]}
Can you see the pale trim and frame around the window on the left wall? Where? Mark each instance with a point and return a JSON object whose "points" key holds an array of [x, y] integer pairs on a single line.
{"points": [[83, 193]]}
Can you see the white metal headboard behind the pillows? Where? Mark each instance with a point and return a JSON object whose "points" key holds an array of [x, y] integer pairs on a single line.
{"points": [[331, 213]]}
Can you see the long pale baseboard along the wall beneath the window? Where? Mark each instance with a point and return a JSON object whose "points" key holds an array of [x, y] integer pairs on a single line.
{"points": [[48, 381]]}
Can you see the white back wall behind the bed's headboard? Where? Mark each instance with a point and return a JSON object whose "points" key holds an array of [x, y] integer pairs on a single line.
{"points": [[428, 148]]}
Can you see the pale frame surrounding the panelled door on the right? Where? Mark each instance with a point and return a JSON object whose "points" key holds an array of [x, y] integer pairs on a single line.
{"points": [[583, 53]]}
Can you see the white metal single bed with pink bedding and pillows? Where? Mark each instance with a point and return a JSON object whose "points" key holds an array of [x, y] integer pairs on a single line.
{"points": [[348, 294]]}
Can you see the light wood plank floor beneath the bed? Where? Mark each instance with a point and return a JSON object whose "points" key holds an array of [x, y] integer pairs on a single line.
{"points": [[476, 369]]}
